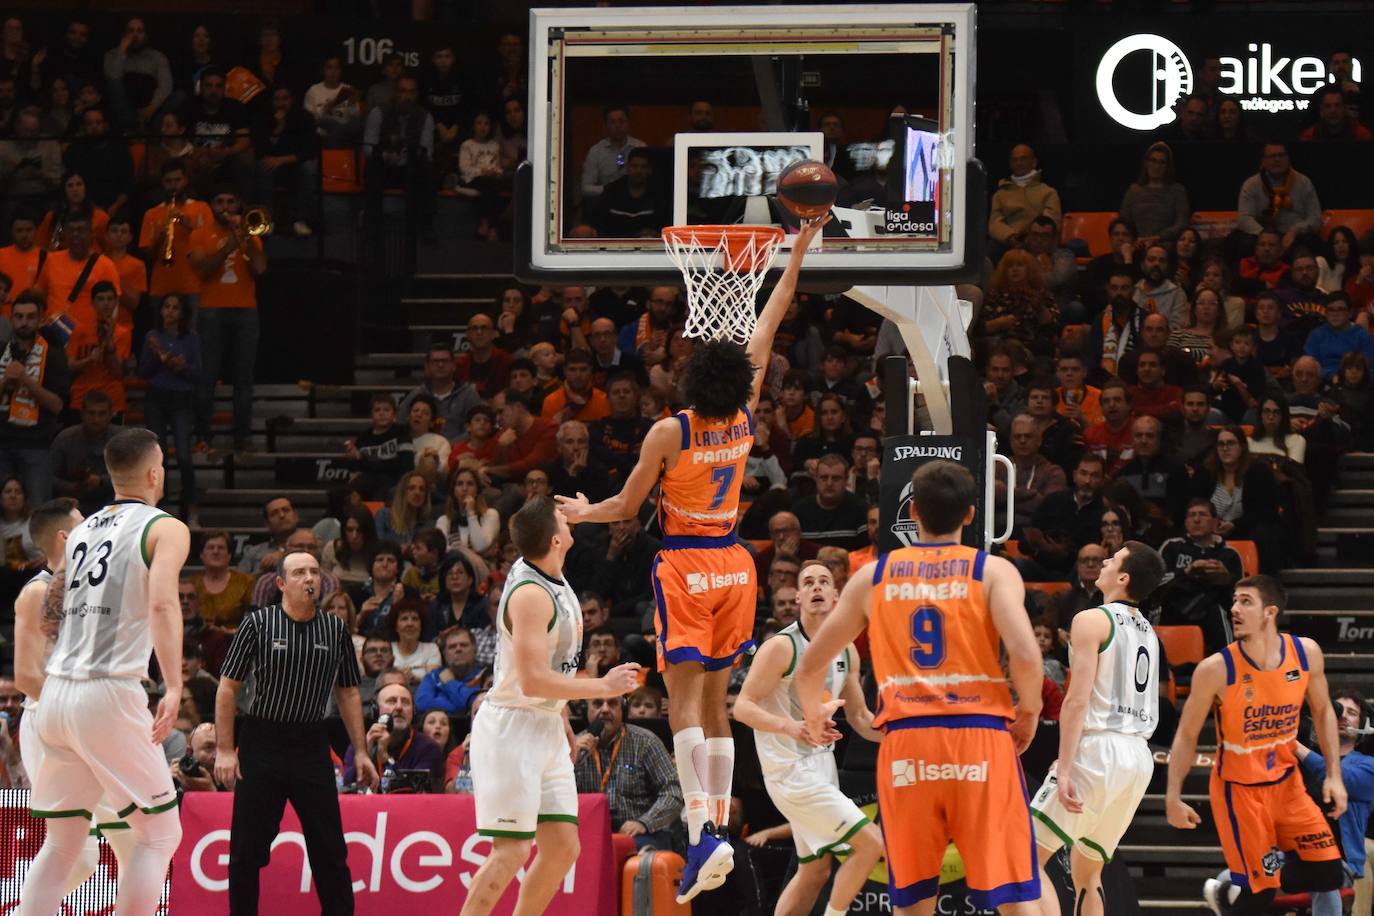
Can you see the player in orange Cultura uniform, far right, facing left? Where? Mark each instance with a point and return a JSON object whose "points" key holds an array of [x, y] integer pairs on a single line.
{"points": [[1255, 689]]}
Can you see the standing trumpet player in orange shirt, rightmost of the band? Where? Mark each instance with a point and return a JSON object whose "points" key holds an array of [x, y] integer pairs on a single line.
{"points": [[229, 263]]}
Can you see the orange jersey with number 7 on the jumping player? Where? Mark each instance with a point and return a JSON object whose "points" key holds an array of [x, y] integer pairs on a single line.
{"points": [[700, 495]]}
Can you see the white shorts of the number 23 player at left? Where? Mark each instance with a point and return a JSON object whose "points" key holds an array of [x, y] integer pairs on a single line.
{"points": [[97, 741]]}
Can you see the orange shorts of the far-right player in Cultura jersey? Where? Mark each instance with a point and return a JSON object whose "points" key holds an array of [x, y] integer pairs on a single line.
{"points": [[1259, 823]]}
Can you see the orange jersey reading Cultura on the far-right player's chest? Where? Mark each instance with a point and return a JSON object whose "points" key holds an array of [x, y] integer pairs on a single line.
{"points": [[1257, 720]]}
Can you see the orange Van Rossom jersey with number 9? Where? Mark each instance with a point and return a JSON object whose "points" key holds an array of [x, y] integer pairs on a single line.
{"points": [[935, 648]]}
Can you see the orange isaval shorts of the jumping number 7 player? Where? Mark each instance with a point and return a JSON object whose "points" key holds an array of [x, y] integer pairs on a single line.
{"points": [[706, 601]]}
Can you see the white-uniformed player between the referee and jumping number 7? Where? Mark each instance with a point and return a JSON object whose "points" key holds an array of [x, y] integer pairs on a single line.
{"points": [[523, 766]]}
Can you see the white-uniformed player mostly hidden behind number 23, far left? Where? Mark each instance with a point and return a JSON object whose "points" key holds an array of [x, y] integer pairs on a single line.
{"points": [[49, 528]]}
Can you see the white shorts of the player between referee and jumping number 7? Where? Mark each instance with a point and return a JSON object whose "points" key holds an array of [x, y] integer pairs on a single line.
{"points": [[523, 771]]}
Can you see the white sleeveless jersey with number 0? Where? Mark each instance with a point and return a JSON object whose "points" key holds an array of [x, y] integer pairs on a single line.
{"points": [[1126, 691]]}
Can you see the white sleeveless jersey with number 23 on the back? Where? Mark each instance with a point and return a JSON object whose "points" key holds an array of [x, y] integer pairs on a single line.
{"points": [[105, 627]]}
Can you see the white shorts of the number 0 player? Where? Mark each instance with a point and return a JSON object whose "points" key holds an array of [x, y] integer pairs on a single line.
{"points": [[1111, 775]]}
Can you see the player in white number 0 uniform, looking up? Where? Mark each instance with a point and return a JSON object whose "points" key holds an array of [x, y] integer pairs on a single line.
{"points": [[1110, 713]]}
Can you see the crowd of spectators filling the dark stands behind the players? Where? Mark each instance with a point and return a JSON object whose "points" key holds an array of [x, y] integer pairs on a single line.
{"points": [[1174, 391]]}
